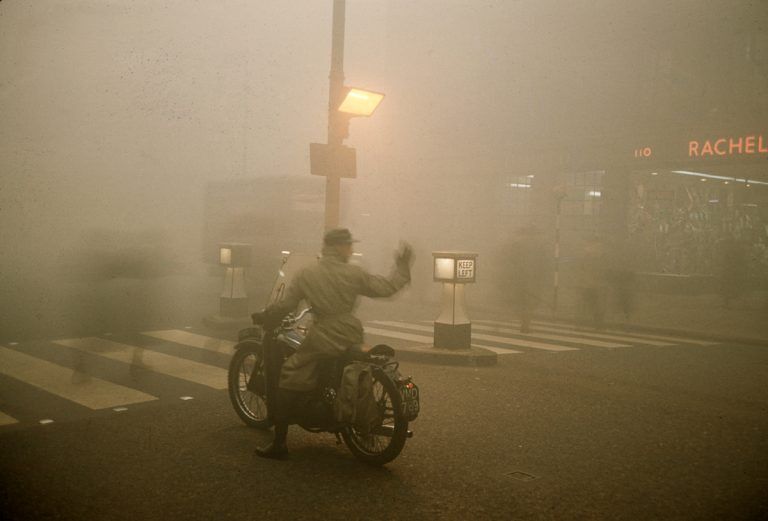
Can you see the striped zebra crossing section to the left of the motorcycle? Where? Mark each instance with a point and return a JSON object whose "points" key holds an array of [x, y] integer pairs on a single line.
{"points": [[99, 374]]}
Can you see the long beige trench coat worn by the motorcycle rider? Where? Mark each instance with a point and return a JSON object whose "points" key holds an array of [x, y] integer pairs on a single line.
{"points": [[331, 287]]}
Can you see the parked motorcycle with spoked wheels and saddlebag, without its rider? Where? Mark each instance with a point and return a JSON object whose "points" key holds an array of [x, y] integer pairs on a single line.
{"points": [[255, 368]]}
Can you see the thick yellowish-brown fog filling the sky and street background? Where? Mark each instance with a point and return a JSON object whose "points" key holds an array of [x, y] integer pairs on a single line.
{"points": [[137, 136]]}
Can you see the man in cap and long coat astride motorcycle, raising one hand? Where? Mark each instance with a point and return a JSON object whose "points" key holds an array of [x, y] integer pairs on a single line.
{"points": [[331, 287]]}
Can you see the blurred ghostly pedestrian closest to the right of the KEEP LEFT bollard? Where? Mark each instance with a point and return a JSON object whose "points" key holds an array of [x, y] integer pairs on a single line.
{"points": [[528, 269]]}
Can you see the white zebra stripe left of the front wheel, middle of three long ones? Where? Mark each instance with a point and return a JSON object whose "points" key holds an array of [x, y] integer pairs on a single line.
{"points": [[181, 368]]}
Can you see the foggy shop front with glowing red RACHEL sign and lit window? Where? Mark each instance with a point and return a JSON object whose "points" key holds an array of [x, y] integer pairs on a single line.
{"points": [[688, 213]]}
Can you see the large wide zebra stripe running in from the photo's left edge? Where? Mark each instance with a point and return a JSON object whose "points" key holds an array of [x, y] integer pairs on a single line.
{"points": [[93, 393]]}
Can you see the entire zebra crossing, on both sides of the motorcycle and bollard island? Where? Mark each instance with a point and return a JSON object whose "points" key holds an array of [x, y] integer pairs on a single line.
{"points": [[49, 381]]}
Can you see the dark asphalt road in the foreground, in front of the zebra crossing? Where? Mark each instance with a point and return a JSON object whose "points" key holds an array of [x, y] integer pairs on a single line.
{"points": [[626, 434]]}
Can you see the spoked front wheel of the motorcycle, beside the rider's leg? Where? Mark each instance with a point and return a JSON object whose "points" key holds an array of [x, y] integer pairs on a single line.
{"points": [[247, 387]]}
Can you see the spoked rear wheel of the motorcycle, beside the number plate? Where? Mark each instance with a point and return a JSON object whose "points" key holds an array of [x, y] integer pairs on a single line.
{"points": [[384, 442]]}
